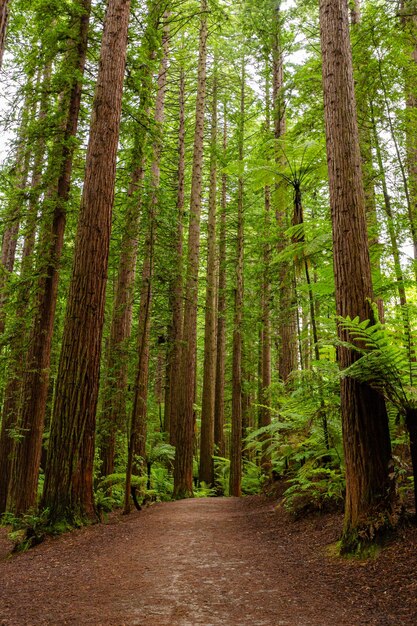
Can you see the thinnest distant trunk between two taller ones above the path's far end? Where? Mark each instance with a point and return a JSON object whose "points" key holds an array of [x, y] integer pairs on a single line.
{"points": [[219, 419]]}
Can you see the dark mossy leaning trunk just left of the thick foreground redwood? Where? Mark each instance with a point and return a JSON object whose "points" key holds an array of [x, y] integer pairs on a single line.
{"points": [[23, 488]]}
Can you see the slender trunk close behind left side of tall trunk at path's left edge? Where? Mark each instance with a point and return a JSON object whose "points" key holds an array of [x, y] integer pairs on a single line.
{"points": [[175, 333]]}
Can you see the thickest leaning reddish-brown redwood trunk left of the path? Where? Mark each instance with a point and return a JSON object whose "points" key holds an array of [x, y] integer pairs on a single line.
{"points": [[68, 491]]}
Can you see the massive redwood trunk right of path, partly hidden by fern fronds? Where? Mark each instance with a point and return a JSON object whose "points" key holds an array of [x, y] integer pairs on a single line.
{"points": [[364, 418]]}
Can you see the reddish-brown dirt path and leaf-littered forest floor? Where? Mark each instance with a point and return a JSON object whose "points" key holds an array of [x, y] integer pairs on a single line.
{"points": [[213, 561]]}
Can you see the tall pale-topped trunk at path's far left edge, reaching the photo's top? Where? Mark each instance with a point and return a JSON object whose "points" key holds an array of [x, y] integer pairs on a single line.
{"points": [[183, 468]]}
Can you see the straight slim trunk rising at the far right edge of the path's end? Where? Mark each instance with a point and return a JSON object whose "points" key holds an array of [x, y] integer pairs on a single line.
{"points": [[235, 488]]}
